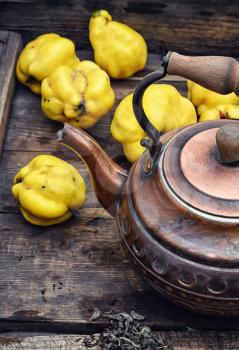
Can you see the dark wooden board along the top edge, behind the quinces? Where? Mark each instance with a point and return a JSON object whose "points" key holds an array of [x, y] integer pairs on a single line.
{"points": [[197, 26]]}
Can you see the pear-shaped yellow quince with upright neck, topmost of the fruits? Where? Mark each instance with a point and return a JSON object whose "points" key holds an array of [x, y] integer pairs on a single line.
{"points": [[118, 49]]}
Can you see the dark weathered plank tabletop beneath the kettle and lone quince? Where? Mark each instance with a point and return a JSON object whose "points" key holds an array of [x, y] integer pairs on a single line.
{"points": [[52, 278]]}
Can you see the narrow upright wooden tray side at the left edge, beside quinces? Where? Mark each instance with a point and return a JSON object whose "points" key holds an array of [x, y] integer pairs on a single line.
{"points": [[9, 47]]}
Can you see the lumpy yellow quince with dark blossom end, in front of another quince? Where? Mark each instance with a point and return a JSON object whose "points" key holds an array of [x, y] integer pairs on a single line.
{"points": [[79, 96]]}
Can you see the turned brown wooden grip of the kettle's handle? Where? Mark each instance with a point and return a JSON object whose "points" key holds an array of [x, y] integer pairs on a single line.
{"points": [[217, 73]]}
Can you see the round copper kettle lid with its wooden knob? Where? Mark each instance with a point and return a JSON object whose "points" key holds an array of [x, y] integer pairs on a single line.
{"points": [[199, 168]]}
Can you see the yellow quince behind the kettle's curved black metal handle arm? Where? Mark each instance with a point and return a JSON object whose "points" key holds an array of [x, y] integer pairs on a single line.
{"points": [[164, 106]]}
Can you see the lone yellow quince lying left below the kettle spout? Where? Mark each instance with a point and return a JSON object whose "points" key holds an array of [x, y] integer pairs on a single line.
{"points": [[48, 189]]}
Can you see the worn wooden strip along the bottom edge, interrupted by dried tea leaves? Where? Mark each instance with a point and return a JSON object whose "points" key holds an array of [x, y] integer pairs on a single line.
{"points": [[179, 341]]}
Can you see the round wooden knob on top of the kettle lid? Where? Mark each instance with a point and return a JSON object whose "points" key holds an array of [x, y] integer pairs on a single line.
{"points": [[228, 143]]}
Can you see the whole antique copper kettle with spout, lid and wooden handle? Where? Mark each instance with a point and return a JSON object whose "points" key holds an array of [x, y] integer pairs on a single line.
{"points": [[178, 207]]}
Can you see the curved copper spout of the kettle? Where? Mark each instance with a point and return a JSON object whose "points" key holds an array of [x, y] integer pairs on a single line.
{"points": [[107, 177]]}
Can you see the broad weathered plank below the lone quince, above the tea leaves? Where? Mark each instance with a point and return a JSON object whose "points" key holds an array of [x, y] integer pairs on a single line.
{"points": [[61, 273]]}
